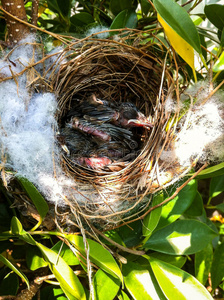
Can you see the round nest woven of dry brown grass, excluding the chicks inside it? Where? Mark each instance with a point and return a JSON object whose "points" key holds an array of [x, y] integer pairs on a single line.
{"points": [[119, 72]]}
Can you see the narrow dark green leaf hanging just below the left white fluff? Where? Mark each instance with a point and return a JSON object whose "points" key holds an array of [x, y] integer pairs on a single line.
{"points": [[37, 199]]}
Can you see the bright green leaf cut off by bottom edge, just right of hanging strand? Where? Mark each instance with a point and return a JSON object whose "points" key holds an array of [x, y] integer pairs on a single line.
{"points": [[105, 286]]}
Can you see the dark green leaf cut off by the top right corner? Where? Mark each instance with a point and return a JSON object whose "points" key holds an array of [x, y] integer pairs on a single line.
{"points": [[215, 14]]}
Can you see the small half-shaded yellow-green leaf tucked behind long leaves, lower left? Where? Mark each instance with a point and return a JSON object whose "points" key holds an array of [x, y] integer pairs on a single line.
{"points": [[66, 253]]}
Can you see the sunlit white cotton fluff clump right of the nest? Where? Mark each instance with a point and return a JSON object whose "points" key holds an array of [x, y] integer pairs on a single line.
{"points": [[201, 133]]}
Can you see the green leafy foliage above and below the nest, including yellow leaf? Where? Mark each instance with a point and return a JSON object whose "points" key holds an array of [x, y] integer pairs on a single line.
{"points": [[180, 242]]}
